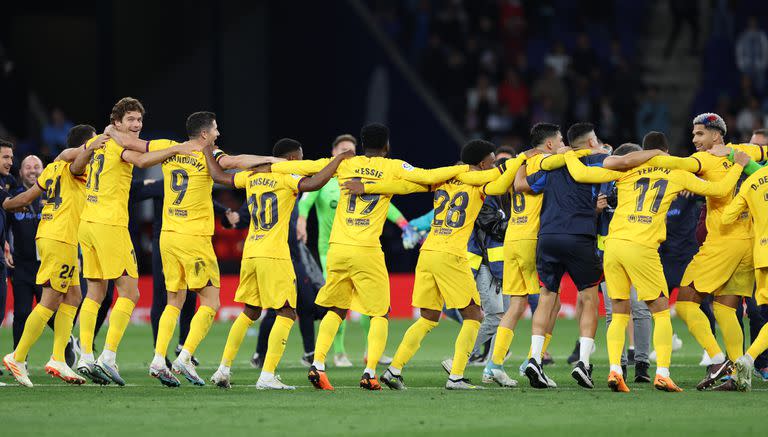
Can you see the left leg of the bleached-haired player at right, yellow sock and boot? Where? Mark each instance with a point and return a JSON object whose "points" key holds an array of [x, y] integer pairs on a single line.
{"points": [[688, 308]]}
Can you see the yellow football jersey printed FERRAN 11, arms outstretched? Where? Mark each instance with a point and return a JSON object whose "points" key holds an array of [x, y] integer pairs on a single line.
{"points": [[645, 194]]}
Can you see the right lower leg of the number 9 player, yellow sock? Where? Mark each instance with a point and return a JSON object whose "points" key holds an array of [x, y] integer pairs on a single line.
{"points": [[198, 329]]}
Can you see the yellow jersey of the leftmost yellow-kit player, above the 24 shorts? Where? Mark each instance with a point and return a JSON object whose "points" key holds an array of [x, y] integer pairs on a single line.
{"points": [[64, 198]]}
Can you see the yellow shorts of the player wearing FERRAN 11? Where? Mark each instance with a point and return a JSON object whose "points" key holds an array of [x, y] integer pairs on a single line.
{"points": [[627, 263]]}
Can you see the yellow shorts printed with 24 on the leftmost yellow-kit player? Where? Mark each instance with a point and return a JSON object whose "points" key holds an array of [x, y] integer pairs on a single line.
{"points": [[59, 266]]}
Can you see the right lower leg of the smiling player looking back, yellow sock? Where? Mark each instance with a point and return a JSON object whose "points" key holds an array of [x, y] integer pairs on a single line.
{"points": [[128, 291]]}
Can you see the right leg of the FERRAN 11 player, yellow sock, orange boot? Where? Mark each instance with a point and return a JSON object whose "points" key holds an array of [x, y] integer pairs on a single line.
{"points": [[662, 343]]}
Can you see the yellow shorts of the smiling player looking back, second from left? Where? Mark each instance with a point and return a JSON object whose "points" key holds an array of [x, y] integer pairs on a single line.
{"points": [[107, 251]]}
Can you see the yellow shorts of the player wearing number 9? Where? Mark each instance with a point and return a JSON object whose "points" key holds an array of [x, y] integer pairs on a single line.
{"points": [[189, 262]]}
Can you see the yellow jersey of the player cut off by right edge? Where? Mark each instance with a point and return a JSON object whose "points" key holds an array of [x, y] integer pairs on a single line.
{"points": [[753, 196]]}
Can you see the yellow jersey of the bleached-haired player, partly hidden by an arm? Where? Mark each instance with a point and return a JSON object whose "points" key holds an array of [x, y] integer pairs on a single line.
{"points": [[713, 168]]}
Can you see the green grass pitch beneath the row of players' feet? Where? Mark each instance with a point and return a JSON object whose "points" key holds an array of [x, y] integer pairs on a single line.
{"points": [[144, 407]]}
